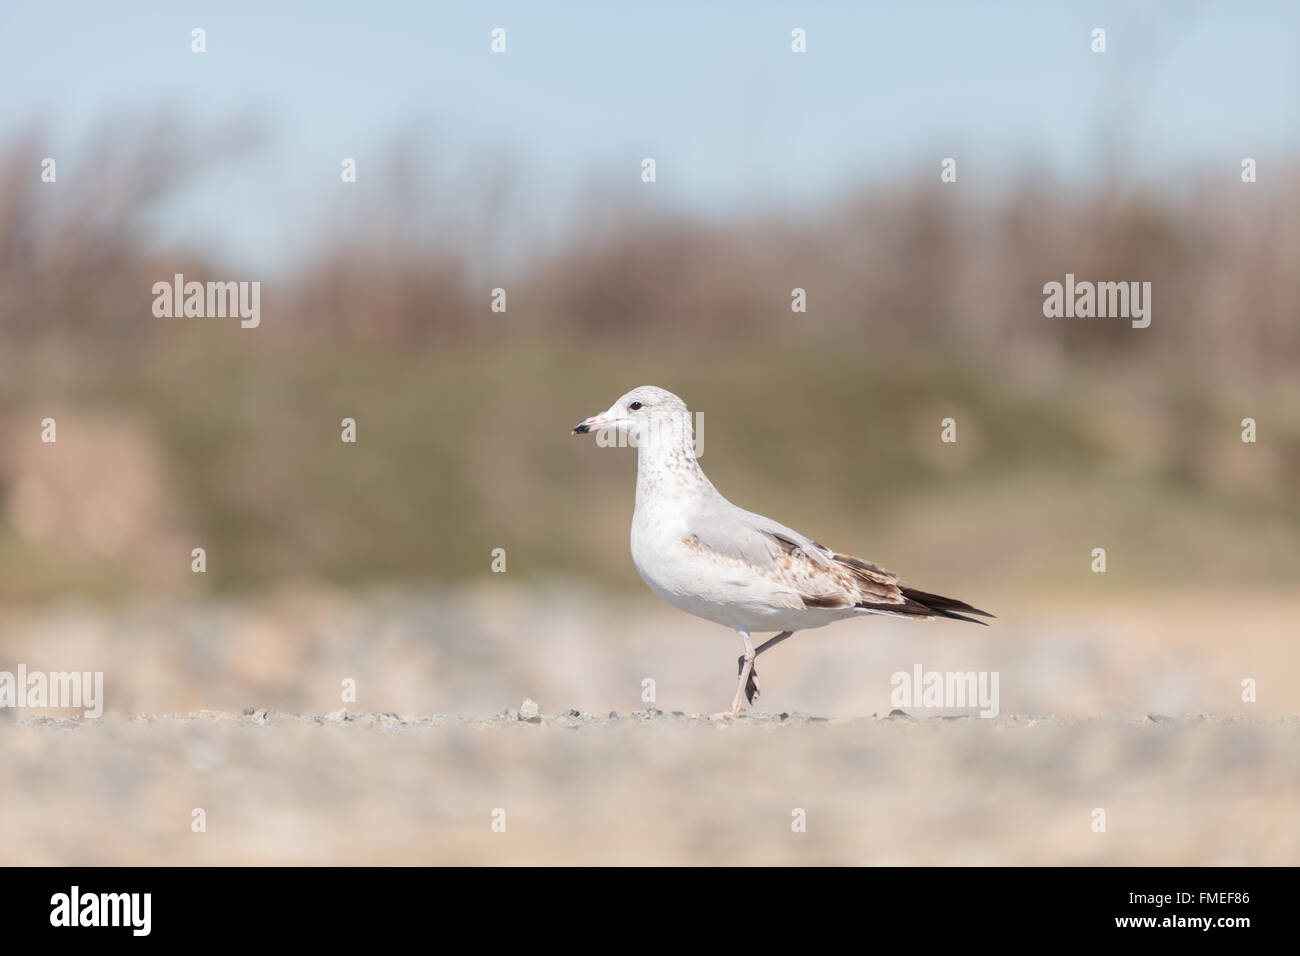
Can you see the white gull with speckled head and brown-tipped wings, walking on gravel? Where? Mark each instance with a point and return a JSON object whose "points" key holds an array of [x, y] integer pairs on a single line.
{"points": [[708, 557]]}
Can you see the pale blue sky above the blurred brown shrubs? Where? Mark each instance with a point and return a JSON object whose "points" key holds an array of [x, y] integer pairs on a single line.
{"points": [[712, 90]]}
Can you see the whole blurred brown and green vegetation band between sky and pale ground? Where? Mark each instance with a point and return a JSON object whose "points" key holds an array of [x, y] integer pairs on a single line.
{"points": [[1072, 435]]}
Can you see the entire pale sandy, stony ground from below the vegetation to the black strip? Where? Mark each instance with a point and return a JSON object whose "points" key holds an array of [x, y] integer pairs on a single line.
{"points": [[1120, 684]]}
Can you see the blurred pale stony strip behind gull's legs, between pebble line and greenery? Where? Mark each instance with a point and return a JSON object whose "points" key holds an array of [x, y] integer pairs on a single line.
{"points": [[480, 650]]}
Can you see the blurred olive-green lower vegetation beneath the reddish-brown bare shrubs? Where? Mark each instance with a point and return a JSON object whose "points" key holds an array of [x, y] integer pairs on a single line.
{"points": [[465, 451]]}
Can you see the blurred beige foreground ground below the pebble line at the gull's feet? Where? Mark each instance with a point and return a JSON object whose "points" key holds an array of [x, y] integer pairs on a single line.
{"points": [[648, 788]]}
